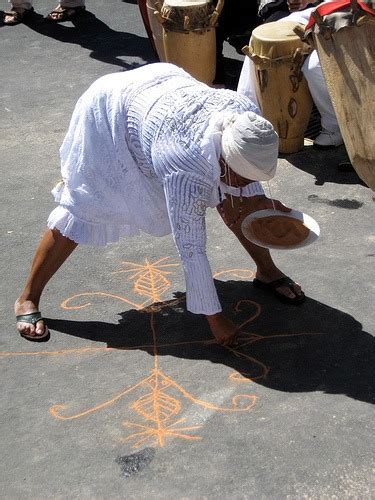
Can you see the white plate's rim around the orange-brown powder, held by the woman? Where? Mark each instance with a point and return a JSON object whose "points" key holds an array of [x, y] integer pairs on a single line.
{"points": [[309, 222]]}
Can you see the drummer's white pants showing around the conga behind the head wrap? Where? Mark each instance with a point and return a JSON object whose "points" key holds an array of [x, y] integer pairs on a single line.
{"points": [[313, 74]]}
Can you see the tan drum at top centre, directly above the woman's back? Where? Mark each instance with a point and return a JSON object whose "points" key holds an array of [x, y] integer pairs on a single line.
{"points": [[189, 36]]}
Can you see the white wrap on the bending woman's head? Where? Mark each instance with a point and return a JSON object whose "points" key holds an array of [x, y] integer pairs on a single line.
{"points": [[250, 146]]}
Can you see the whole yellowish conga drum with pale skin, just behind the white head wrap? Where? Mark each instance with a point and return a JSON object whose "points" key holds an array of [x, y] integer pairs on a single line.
{"points": [[282, 90]]}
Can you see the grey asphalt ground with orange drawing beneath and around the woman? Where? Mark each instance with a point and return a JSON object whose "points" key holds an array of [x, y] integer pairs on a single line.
{"points": [[128, 401]]}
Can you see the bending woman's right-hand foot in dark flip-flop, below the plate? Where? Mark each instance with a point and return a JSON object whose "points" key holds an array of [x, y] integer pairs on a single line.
{"points": [[282, 287]]}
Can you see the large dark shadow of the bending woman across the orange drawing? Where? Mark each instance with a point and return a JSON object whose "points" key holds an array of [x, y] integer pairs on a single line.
{"points": [[311, 347]]}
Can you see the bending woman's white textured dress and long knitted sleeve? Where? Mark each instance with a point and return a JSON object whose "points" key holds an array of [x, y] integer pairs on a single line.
{"points": [[141, 154]]}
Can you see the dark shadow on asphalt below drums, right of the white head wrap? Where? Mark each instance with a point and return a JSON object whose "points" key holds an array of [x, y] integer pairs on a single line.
{"points": [[324, 165]]}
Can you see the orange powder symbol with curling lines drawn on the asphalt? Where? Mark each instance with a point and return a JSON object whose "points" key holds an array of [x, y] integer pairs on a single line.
{"points": [[160, 400]]}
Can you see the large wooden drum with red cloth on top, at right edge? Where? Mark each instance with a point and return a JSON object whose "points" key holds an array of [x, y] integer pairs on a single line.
{"points": [[344, 36]]}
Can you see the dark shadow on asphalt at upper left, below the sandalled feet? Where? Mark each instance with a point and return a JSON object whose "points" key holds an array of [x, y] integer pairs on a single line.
{"points": [[106, 45]]}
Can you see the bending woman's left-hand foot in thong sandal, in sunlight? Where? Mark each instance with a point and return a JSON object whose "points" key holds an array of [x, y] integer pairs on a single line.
{"points": [[30, 323]]}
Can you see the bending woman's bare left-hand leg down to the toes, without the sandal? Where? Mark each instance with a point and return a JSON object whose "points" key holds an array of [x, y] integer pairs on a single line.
{"points": [[51, 253]]}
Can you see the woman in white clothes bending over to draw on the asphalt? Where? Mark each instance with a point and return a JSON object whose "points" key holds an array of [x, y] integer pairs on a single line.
{"points": [[149, 150]]}
